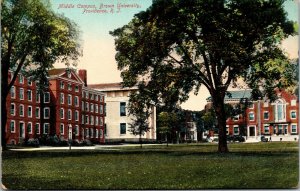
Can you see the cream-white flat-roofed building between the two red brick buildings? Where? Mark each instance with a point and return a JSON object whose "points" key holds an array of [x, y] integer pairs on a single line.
{"points": [[117, 118]]}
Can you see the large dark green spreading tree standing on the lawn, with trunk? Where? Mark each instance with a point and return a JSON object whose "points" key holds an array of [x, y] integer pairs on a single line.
{"points": [[177, 45]]}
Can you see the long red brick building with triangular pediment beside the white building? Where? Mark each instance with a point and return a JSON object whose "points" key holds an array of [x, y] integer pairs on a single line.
{"points": [[68, 109]]}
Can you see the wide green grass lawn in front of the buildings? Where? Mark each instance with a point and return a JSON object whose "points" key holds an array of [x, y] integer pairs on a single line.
{"points": [[193, 166]]}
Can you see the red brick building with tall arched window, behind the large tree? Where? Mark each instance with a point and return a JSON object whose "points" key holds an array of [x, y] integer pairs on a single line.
{"points": [[277, 120]]}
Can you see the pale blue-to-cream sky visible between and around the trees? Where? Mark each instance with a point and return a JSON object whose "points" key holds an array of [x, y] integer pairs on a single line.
{"points": [[98, 45]]}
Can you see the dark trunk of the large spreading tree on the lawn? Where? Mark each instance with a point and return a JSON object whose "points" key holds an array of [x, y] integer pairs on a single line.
{"points": [[221, 121]]}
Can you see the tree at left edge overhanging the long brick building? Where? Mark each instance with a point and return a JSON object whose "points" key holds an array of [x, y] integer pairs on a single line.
{"points": [[33, 38]]}
